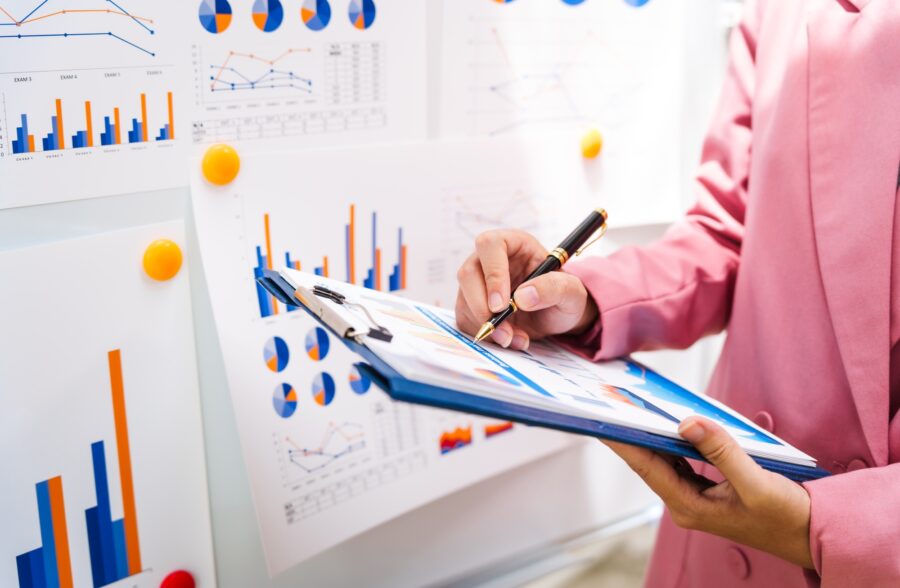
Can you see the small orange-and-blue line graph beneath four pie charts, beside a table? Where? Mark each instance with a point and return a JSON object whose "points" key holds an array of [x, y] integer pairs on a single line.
{"points": [[234, 73]]}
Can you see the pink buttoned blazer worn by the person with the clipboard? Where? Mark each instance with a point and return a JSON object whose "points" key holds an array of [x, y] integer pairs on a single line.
{"points": [[790, 247]]}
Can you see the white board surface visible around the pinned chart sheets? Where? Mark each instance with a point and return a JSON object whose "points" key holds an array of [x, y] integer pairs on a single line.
{"points": [[481, 525]]}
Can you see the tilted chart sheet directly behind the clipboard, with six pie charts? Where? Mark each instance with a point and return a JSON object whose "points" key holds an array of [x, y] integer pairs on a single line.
{"points": [[330, 455]]}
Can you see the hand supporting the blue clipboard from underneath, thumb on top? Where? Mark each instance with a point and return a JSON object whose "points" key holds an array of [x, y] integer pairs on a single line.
{"points": [[752, 506]]}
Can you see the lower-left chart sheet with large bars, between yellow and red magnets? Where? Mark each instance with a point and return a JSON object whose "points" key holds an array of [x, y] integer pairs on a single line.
{"points": [[104, 480]]}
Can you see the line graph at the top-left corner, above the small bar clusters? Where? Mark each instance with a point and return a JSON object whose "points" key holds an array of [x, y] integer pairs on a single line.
{"points": [[28, 22]]}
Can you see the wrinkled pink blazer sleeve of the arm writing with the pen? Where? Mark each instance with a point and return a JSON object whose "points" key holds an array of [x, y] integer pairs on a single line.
{"points": [[678, 289]]}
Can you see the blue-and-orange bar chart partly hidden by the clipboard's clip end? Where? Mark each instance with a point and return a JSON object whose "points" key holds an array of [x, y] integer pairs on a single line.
{"points": [[376, 276]]}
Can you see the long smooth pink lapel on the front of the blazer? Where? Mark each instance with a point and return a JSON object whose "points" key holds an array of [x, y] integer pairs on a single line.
{"points": [[854, 149]]}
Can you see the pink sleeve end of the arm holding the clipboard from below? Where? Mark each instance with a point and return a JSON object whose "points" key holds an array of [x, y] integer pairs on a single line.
{"points": [[855, 528]]}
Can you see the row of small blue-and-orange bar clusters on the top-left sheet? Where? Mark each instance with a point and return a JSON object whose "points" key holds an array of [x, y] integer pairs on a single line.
{"points": [[111, 133]]}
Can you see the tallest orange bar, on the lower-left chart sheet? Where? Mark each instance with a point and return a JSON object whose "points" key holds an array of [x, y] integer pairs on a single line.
{"points": [[132, 545]]}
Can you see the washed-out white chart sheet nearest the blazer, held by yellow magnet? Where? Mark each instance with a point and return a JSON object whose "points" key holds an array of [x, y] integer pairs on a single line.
{"points": [[536, 66]]}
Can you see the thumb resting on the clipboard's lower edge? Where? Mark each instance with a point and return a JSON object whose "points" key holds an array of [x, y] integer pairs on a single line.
{"points": [[720, 448]]}
